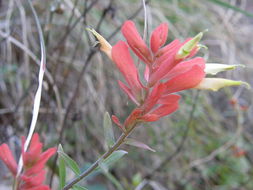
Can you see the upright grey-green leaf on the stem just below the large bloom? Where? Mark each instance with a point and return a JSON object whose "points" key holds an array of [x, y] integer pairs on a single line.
{"points": [[108, 132]]}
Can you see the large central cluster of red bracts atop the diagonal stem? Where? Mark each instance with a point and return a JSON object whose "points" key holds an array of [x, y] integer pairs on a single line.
{"points": [[168, 70]]}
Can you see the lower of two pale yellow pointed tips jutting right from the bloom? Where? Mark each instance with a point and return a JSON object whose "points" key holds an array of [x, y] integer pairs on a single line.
{"points": [[217, 83]]}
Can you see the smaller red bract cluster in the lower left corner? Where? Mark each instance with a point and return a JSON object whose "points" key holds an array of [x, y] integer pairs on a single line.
{"points": [[34, 160]]}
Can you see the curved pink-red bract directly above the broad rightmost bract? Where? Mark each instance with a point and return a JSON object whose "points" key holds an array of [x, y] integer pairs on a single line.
{"points": [[185, 66]]}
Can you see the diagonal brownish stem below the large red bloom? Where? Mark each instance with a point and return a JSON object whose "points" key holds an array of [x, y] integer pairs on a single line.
{"points": [[116, 145]]}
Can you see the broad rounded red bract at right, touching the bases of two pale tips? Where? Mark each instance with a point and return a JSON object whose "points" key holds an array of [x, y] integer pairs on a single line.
{"points": [[189, 79]]}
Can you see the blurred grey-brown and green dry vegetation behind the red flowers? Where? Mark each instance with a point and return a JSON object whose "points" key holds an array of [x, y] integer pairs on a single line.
{"points": [[206, 145]]}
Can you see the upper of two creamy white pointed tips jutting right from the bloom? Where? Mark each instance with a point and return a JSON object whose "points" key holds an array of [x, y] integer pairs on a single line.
{"points": [[214, 68]]}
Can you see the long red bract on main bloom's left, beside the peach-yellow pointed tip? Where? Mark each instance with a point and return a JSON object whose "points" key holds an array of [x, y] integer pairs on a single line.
{"points": [[123, 60]]}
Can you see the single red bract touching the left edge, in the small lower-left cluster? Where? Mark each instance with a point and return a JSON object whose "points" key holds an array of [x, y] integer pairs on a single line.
{"points": [[7, 157]]}
